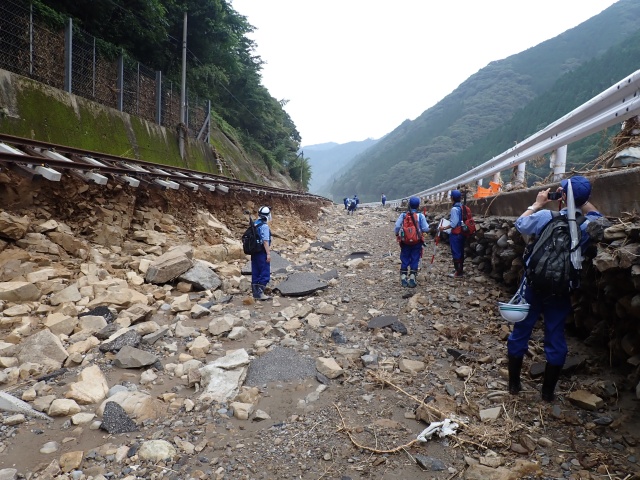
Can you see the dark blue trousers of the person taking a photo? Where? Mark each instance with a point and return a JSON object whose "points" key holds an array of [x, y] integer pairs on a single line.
{"points": [[555, 310]]}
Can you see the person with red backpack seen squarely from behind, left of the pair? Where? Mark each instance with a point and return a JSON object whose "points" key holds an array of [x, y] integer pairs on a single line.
{"points": [[409, 229]]}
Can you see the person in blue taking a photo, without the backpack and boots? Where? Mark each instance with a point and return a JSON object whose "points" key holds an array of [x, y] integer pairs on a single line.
{"points": [[554, 307]]}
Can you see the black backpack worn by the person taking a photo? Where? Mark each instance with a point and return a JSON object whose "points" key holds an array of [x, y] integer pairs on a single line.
{"points": [[548, 266]]}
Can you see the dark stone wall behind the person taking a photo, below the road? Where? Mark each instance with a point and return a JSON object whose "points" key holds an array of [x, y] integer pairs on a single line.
{"points": [[607, 306]]}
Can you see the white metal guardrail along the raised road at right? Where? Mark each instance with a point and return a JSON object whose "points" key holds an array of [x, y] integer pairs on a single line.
{"points": [[616, 104]]}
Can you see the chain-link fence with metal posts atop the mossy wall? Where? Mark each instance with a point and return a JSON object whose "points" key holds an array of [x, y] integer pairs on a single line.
{"points": [[31, 49]]}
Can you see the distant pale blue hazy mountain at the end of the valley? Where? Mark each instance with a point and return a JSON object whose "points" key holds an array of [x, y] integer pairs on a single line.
{"points": [[326, 159]]}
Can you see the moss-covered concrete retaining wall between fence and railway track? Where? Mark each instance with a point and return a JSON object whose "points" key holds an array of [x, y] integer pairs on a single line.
{"points": [[33, 110]]}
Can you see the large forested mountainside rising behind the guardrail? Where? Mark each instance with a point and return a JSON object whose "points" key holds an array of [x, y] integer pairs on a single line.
{"points": [[500, 105]]}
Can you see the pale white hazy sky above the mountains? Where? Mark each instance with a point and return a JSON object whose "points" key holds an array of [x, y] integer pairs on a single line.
{"points": [[356, 69]]}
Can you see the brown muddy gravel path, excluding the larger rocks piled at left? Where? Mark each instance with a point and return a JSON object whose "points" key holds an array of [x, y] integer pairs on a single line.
{"points": [[364, 423]]}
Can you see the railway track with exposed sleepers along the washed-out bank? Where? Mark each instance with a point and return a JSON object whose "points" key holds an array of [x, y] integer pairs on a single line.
{"points": [[49, 161]]}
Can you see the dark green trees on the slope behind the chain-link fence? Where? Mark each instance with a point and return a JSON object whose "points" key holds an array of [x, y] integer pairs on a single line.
{"points": [[221, 64]]}
